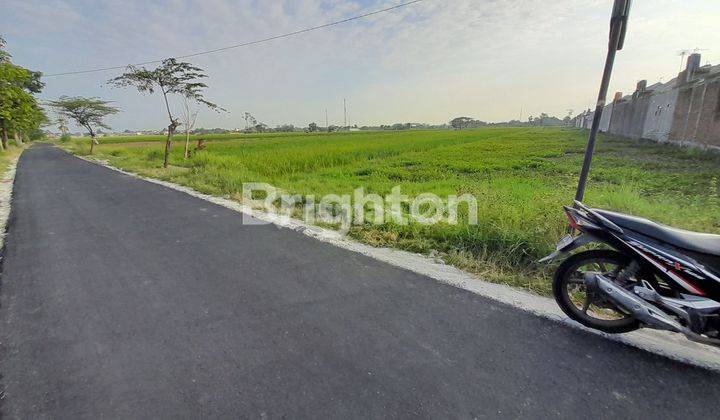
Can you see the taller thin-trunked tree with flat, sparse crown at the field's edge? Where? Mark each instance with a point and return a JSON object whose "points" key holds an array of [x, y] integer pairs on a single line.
{"points": [[171, 77]]}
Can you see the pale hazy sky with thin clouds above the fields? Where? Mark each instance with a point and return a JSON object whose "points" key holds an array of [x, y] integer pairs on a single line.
{"points": [[427, 62]]}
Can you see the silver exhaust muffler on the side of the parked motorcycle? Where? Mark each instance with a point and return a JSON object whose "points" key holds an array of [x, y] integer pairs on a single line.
{"points": [[640, 309]]}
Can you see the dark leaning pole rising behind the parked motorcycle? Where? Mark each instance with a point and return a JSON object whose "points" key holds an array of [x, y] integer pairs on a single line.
{"points": [[618, 26]]}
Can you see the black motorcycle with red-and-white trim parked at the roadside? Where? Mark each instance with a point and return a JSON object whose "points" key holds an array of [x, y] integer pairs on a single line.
{"points": [[652, 275]]}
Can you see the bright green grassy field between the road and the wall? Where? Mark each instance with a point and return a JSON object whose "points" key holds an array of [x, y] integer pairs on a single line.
{"points": [[520, 176]]}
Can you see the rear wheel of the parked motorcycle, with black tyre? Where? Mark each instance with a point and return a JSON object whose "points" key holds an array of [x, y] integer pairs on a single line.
{"points": [[583, 305]]}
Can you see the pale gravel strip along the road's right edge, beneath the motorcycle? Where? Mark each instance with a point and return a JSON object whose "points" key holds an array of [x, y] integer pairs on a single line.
{"points": [[671, 345]]}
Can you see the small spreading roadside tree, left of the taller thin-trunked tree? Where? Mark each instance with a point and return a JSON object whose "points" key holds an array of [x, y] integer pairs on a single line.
{"points": [[86, 112]]}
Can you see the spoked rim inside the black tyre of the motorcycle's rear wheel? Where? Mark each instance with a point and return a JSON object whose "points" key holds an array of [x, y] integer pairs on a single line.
{"points": [[586, 304]]}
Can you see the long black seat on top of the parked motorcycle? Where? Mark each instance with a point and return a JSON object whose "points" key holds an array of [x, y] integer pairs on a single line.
{"points": [[703, 243]]}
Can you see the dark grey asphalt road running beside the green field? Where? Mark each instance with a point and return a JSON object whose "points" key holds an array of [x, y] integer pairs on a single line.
{"points": [[121, 298]]}
